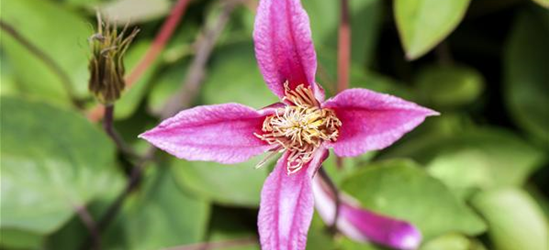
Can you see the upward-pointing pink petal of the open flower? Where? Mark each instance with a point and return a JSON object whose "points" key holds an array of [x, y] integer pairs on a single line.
{"points": [[283, 46]]}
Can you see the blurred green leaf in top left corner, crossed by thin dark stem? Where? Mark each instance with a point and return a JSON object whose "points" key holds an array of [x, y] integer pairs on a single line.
{"points": [[57, 32]]}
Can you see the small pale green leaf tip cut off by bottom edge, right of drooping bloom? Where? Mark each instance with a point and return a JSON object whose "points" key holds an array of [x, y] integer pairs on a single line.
{"points": [[452, 241]]}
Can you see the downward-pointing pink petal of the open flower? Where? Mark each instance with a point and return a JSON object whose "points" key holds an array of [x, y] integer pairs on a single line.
{"points": [[286, 206]]}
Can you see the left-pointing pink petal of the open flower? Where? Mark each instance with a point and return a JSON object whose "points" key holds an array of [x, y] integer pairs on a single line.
{"points": [[223, 133]]}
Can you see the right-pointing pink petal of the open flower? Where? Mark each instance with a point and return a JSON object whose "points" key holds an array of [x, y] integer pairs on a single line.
{"points": [[372, 121]]}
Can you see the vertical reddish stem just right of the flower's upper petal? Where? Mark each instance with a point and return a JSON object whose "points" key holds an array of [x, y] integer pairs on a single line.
{"points": [[344, 48]]}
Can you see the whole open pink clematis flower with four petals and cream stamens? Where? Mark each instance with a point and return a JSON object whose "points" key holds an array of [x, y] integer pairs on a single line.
{"points": [[302, 126]]}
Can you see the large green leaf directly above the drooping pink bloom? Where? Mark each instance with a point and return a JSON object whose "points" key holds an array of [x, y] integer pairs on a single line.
{"points": [[403, 190]]}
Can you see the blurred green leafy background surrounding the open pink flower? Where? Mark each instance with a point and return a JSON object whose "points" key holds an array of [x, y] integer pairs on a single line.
{"points": [[476, 177]]}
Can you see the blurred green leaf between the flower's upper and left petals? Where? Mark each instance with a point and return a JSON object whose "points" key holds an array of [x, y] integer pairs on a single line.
{"points": [[233, 74]]}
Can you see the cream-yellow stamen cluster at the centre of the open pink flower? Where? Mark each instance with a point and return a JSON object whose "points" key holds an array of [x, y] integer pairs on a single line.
{"points": [[300, 127]]}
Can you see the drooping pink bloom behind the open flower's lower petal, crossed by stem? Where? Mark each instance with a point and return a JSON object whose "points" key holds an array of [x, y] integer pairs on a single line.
{"points": [[362, 225]]}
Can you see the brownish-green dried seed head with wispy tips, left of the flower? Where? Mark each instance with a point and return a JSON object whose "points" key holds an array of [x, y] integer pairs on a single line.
{"points": [[106, 64]]}
